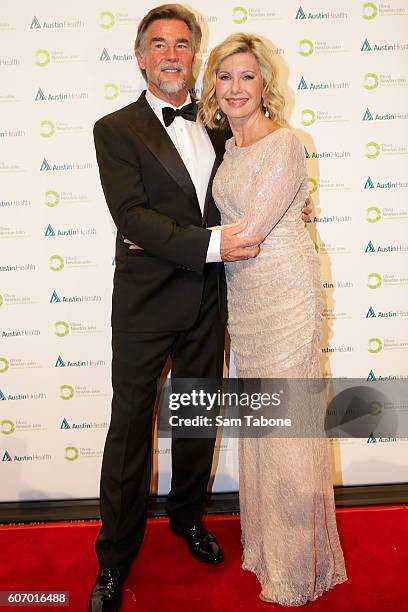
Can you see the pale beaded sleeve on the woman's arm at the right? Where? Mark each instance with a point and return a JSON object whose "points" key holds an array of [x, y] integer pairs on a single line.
{"points": [[282, 170]]}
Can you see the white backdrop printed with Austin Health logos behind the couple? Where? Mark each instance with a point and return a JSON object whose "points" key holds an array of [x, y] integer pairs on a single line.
{"points": [[343, 68]]}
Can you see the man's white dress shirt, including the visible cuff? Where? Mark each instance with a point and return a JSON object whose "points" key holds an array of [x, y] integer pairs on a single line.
{"points": [[197, 152]]}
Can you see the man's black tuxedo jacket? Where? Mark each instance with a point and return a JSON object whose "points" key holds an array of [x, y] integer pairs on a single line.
{"points": [[154, 204]]}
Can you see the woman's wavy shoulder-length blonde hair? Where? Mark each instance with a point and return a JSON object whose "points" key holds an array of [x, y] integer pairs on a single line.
{"points": [[240, 43]]}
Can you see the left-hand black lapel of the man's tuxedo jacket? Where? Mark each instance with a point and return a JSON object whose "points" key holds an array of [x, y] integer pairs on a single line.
{"points": [[154, 136]]}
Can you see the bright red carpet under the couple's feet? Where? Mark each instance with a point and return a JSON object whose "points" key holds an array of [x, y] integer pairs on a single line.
{"points": [[59, 556]]}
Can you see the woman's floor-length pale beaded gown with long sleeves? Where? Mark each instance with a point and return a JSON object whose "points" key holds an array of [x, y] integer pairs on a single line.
{"points": [[275, 302]]}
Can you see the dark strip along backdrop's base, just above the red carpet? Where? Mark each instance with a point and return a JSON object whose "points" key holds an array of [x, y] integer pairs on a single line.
{"points": [[218, 503]]}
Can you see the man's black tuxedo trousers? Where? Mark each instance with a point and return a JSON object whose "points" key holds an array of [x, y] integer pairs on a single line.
{"points": [[138, 360]]}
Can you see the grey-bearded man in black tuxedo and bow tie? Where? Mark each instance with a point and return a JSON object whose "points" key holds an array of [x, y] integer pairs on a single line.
{"points": [[156, 165]]}
